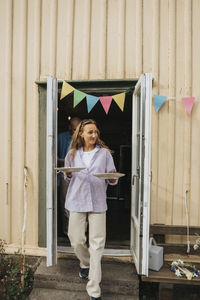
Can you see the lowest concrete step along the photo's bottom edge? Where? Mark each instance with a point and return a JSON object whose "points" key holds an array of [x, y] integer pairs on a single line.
{"points": [[52, 294]]}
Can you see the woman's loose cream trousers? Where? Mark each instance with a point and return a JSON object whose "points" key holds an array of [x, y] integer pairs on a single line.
{"points": [[89, 258]]}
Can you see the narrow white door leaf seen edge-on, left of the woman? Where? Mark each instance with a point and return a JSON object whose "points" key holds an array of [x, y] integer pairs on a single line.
{"points": [[51, 177]]}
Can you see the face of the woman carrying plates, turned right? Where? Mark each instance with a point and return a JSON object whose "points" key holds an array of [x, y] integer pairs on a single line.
{"points": [[89, 134]]}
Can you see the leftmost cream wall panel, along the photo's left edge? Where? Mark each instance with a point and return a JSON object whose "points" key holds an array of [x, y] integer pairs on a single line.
{"points": [[5, 116]]}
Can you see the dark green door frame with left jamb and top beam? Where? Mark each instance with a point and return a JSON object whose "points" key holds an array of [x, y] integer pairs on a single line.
{"points": [[85, 85]]}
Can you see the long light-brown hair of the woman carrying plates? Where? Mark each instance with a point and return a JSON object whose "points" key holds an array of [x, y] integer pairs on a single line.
{"points": [[78, 141]]}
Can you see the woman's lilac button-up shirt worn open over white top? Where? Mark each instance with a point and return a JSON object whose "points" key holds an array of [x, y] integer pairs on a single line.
{"points": [[87, 193]]}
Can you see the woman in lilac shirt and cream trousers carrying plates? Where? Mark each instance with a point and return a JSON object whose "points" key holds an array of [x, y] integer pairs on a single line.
{"points": [[86, 200]]}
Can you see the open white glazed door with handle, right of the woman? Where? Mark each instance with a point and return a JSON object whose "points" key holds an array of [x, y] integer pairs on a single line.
{"points": [[141, 172]]}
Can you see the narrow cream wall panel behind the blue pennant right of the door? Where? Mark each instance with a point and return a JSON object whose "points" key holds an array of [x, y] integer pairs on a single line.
{"points": [[163, 114]]}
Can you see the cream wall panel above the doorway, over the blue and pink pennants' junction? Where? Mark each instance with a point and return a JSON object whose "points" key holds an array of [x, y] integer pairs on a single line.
{"points": [[98, 43]]}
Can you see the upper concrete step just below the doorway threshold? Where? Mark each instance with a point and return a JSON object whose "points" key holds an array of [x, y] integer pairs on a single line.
{"points": [[119, 278]]}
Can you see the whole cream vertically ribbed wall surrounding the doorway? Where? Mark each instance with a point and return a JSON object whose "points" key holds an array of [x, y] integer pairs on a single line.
{"points": [[100, 39]]}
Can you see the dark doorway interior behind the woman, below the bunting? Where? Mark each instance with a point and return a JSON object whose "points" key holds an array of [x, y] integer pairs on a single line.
{"points": [[116, 131]]}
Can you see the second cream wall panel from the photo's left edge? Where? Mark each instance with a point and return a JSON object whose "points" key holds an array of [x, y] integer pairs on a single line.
{"points": [[18, 116]]}
